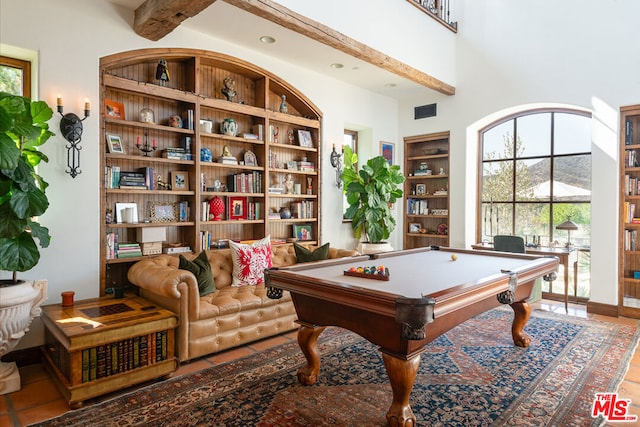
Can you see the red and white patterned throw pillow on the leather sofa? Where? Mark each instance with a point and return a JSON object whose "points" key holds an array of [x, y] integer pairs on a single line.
{"points": [[250, 261]]}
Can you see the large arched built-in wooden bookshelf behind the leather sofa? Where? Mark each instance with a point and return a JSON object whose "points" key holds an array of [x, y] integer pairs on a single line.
{"points": [[271, 143]]}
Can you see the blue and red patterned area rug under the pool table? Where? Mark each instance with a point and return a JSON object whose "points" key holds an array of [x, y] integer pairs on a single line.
{"points": [[471, 376]]}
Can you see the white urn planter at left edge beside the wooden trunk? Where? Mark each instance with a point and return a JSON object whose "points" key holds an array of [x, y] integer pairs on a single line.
{"points": [[19, 304]]}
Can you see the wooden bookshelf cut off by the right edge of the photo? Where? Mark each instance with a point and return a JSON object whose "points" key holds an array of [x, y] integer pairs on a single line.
{"points": [[629, 213]]}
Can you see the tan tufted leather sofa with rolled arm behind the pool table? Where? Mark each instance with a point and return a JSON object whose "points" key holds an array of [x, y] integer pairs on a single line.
{"points": [[229, 317]]}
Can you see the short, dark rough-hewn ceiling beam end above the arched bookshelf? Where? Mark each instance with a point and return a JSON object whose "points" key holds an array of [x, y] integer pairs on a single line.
{"points": [[154, 19]]}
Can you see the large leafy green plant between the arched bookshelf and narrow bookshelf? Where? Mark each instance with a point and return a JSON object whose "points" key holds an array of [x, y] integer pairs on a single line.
{"points": [[371, 191]]}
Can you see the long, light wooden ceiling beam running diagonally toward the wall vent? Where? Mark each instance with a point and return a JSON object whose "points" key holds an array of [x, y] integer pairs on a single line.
{"points": [[293, 21]]}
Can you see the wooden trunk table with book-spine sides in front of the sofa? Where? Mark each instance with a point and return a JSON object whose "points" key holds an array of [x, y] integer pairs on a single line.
{"points": [[101, 345]]}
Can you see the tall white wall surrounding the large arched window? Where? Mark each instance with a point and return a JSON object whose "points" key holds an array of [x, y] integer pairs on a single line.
{"points": [[513, 54]]}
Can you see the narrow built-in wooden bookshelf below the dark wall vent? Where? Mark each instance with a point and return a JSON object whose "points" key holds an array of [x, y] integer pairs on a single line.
{"points": [[426, 189]]}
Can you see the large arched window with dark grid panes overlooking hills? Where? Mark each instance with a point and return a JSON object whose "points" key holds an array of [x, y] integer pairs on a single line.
{"points": [[536, 174]]}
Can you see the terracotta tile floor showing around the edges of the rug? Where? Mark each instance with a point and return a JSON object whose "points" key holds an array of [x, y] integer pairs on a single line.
{"points": [[39, 399]]}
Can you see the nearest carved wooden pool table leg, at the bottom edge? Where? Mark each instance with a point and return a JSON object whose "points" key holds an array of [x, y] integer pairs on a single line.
{"points": [[402, 374]]}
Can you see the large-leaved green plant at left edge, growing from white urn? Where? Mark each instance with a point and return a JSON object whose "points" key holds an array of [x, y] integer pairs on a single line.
{"points": [[23, 128]]}
